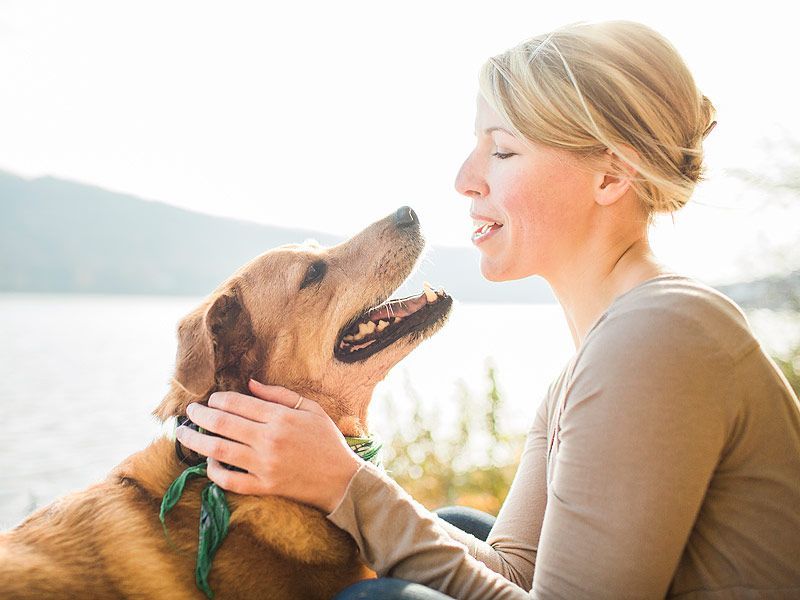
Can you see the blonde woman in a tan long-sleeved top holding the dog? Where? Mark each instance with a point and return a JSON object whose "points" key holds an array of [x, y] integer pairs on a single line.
{"points": [[664, 459]]}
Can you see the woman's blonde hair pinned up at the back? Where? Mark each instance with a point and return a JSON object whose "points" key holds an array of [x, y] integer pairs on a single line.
{"points": [[587, 87]]}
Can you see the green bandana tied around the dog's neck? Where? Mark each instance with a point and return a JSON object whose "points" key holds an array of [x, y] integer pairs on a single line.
{"points": [[215, 514]]}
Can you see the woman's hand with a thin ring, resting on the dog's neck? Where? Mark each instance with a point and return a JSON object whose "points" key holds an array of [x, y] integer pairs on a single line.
{"points": [[298, 453]]}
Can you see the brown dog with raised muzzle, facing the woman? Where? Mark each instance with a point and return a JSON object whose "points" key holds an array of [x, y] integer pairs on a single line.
{"points": [[289, 317]]}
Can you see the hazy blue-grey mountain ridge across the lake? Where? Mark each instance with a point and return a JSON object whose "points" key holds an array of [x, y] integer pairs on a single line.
{"points": [[67, 237]]}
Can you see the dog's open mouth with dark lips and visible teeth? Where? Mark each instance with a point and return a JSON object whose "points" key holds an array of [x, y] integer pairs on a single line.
{"points": [[383, 325]]}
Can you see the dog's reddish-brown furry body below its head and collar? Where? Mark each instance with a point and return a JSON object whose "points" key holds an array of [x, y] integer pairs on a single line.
{"points": [[107, 542]]}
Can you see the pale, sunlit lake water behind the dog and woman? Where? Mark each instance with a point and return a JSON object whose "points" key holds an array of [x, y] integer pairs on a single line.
{"points": [[81, 374]]}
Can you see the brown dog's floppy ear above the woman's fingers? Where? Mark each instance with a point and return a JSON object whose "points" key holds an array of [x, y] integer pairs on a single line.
{"points": [[216, 351]]}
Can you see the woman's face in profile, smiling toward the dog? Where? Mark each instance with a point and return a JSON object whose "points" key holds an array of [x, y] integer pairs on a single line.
{"points": [[531, 207]]}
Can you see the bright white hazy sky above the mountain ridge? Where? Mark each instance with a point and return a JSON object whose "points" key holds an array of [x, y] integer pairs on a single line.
{"points": [[329, 115]]}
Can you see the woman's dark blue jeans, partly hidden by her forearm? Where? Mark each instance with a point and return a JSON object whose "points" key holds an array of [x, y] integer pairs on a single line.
{"points": [[386, 588]]}
